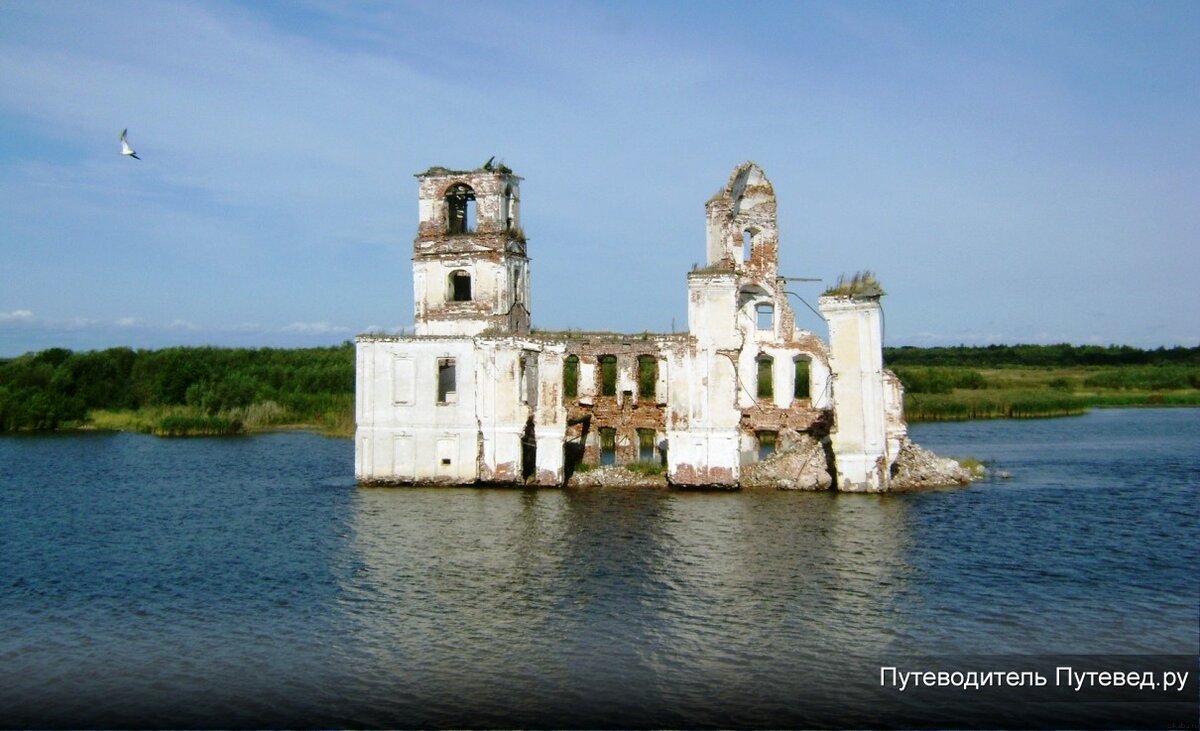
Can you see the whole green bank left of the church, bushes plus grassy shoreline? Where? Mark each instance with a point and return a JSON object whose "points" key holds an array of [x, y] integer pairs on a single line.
{"points": [[181, 392]]}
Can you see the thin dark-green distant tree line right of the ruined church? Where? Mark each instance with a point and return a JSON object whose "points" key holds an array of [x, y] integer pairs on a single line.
{"points": [[1057, 356]]}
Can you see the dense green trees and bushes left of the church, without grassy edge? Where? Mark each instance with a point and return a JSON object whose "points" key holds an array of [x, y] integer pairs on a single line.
{"points": [[58, 387]]}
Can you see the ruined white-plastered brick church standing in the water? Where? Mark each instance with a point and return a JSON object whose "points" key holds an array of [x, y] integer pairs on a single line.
{"points": [[745, 398]]}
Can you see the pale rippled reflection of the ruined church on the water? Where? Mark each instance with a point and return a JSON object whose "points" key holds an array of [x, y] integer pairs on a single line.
{"points": [[616, 604]]}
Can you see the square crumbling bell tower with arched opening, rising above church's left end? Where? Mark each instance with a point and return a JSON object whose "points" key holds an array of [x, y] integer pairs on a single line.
{"points": [[471, 272]]}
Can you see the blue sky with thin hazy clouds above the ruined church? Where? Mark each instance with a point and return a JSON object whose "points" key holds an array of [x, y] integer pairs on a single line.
{"points": [[1012, 172]]}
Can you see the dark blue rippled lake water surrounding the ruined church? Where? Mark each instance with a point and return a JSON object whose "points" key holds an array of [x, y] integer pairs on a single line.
{"points": [[244, 583]]}
